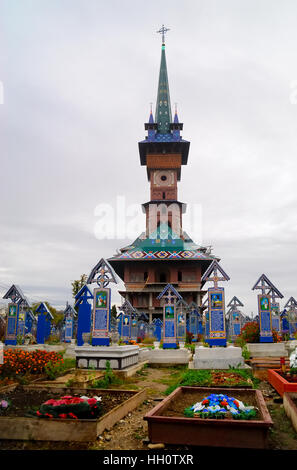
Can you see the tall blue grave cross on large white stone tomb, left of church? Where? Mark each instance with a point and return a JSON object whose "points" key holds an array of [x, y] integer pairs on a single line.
{"points": [[103, 275]]}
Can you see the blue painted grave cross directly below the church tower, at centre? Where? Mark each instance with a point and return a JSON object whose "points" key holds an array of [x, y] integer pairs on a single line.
{"points": [[169, 295]]}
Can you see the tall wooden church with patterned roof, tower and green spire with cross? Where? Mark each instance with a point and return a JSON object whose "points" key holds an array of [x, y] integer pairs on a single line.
{"points": [[163, 253]]}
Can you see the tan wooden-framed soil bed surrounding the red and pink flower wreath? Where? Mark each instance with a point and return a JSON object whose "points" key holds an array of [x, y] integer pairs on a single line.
{"points": [[16, 424]]}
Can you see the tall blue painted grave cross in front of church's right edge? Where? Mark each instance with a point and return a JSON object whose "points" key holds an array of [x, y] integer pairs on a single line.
{"points": [[216, 304]]}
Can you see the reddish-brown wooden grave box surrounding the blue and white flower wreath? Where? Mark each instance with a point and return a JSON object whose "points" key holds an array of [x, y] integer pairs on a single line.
{"points": [[167, 423]]}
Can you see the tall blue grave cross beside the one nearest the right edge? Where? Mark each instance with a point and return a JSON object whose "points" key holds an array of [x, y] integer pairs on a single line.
{"points": [[264, 307]]}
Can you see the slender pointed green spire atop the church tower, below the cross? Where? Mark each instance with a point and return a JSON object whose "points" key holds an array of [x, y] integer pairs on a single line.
{"points": [[163, 107]]}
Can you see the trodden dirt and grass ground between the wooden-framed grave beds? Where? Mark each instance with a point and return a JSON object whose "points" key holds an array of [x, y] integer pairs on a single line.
{"points": [[130, 433]]}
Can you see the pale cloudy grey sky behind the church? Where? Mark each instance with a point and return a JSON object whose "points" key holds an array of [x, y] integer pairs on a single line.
{"points": [[78, 78]]}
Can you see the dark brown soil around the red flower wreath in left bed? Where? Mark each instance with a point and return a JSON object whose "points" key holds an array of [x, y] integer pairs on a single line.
{"points": [[24, 401]]}
